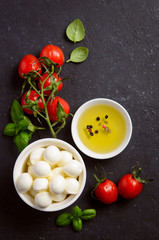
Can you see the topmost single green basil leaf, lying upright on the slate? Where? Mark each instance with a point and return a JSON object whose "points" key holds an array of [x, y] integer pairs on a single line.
{"points": [[75, 31]]}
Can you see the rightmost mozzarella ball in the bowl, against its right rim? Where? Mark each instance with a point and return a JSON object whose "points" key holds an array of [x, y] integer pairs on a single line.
{"points": [[73, 168]]}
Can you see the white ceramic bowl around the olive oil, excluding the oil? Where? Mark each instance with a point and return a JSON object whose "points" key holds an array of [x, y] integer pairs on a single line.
{"points": [[77, 139]]}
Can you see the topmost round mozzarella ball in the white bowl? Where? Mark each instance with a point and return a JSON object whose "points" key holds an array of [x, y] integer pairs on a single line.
{"points": [[52, 155]]}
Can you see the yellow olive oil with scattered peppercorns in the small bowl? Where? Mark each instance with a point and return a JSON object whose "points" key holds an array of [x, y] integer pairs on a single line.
{"points": [[102, 128]]}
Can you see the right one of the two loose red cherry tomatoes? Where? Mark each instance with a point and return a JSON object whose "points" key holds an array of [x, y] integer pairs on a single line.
{"points": [[129, 187]]}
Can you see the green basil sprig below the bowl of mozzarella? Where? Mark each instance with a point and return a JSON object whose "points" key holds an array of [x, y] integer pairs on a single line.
{"points": [[75, 217]]}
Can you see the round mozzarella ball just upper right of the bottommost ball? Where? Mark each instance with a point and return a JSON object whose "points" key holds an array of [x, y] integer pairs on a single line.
{"points": [[57, 184]]}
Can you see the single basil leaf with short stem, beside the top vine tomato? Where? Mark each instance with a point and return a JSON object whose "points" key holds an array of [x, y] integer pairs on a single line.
{"points": [[78, 55]]}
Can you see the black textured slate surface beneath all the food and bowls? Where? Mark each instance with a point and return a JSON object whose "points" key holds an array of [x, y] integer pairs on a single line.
{"points": [[123, 64]]}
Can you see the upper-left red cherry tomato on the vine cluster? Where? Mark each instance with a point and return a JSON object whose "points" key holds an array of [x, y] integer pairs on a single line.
{"points": [[27, 64]]}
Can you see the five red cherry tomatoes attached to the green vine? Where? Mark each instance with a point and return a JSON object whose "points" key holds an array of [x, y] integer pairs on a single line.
{"points": [[30, 63]]}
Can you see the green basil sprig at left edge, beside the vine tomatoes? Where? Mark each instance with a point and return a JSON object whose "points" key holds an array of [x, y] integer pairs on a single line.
{"points": [[21, 128]]}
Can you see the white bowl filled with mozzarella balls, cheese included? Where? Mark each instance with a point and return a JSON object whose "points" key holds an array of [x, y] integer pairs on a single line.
{"points": [[49, 175]]}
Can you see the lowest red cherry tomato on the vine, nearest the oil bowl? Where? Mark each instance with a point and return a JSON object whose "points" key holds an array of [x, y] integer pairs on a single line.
{"points": [[52, 107]]}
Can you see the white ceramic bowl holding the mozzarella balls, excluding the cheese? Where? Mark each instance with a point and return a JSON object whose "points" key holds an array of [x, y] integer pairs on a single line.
{"points": [[20, 165]]}
